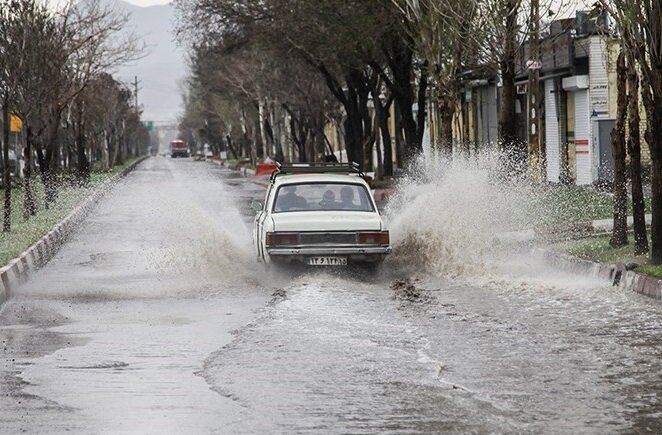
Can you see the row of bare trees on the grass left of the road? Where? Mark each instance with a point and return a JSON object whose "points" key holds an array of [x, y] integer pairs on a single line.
{"points": [[55, 74]]}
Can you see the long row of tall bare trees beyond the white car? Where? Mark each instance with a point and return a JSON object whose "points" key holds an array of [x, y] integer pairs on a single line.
{"points": [[345, 64]]}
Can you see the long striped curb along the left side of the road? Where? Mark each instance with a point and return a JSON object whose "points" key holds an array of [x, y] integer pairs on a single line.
{"points": [[17, 271]]}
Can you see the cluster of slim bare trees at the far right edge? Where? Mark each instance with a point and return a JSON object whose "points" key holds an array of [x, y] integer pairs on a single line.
{"points": [[639, 69]]}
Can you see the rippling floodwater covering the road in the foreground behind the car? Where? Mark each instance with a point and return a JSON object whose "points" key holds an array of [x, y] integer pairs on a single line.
{"points": [[351, 358]]}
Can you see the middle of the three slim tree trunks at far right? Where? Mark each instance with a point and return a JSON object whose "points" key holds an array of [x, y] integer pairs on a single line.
{"points": [[634, 149]]}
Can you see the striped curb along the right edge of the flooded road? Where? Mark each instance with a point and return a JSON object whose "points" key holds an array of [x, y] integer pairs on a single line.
{"points": [[616, 273]]}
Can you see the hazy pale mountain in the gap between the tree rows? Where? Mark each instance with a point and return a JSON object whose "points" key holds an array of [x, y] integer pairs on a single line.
{"points": [[164, 66]]}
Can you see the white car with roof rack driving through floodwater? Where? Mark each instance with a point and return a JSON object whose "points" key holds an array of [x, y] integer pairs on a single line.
{"points": [[319, 215]]}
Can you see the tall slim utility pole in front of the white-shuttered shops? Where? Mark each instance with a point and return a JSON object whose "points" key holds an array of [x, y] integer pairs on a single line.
{"points": [[535, 161]]}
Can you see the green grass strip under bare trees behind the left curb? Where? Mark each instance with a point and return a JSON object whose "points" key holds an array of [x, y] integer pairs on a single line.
{"points": [[25, 233]]}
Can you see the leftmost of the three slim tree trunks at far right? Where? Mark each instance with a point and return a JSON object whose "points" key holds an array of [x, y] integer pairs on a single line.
{"points": [[619, 235]]}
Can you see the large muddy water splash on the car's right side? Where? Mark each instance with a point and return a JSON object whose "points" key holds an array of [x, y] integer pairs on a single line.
{"points": [[451, 219]]}
